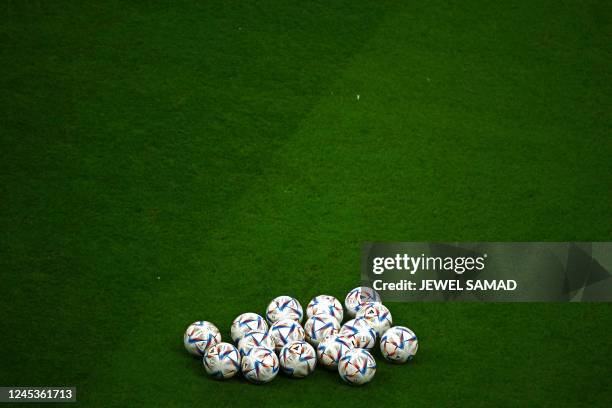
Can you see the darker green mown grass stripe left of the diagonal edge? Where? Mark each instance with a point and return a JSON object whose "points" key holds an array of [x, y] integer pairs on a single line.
{"points": [[130, 129]]}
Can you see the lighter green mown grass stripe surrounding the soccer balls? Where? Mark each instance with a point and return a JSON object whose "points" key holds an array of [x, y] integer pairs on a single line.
{"points": [[392, 166]]}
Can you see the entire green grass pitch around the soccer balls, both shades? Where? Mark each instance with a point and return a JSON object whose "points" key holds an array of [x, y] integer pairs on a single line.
{"points": [[165, 162]]}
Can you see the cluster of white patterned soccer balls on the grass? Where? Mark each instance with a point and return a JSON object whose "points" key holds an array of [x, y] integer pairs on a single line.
{"points": [[287, 345]]}
